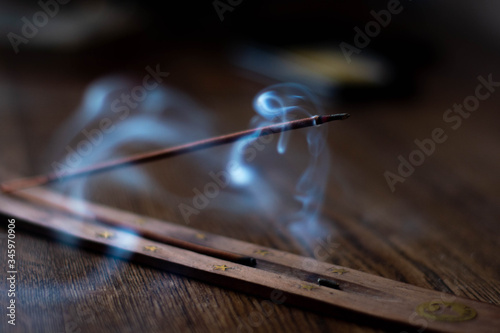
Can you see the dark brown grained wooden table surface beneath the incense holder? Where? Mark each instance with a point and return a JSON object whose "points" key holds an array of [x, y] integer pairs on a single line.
{"points": [[439, 229]]}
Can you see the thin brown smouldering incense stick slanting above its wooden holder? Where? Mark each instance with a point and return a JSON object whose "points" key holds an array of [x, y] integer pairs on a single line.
{"points": [[17, 184]]}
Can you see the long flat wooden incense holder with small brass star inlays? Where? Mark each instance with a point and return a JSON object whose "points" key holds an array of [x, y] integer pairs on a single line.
{"points": [[279, 276]]}
